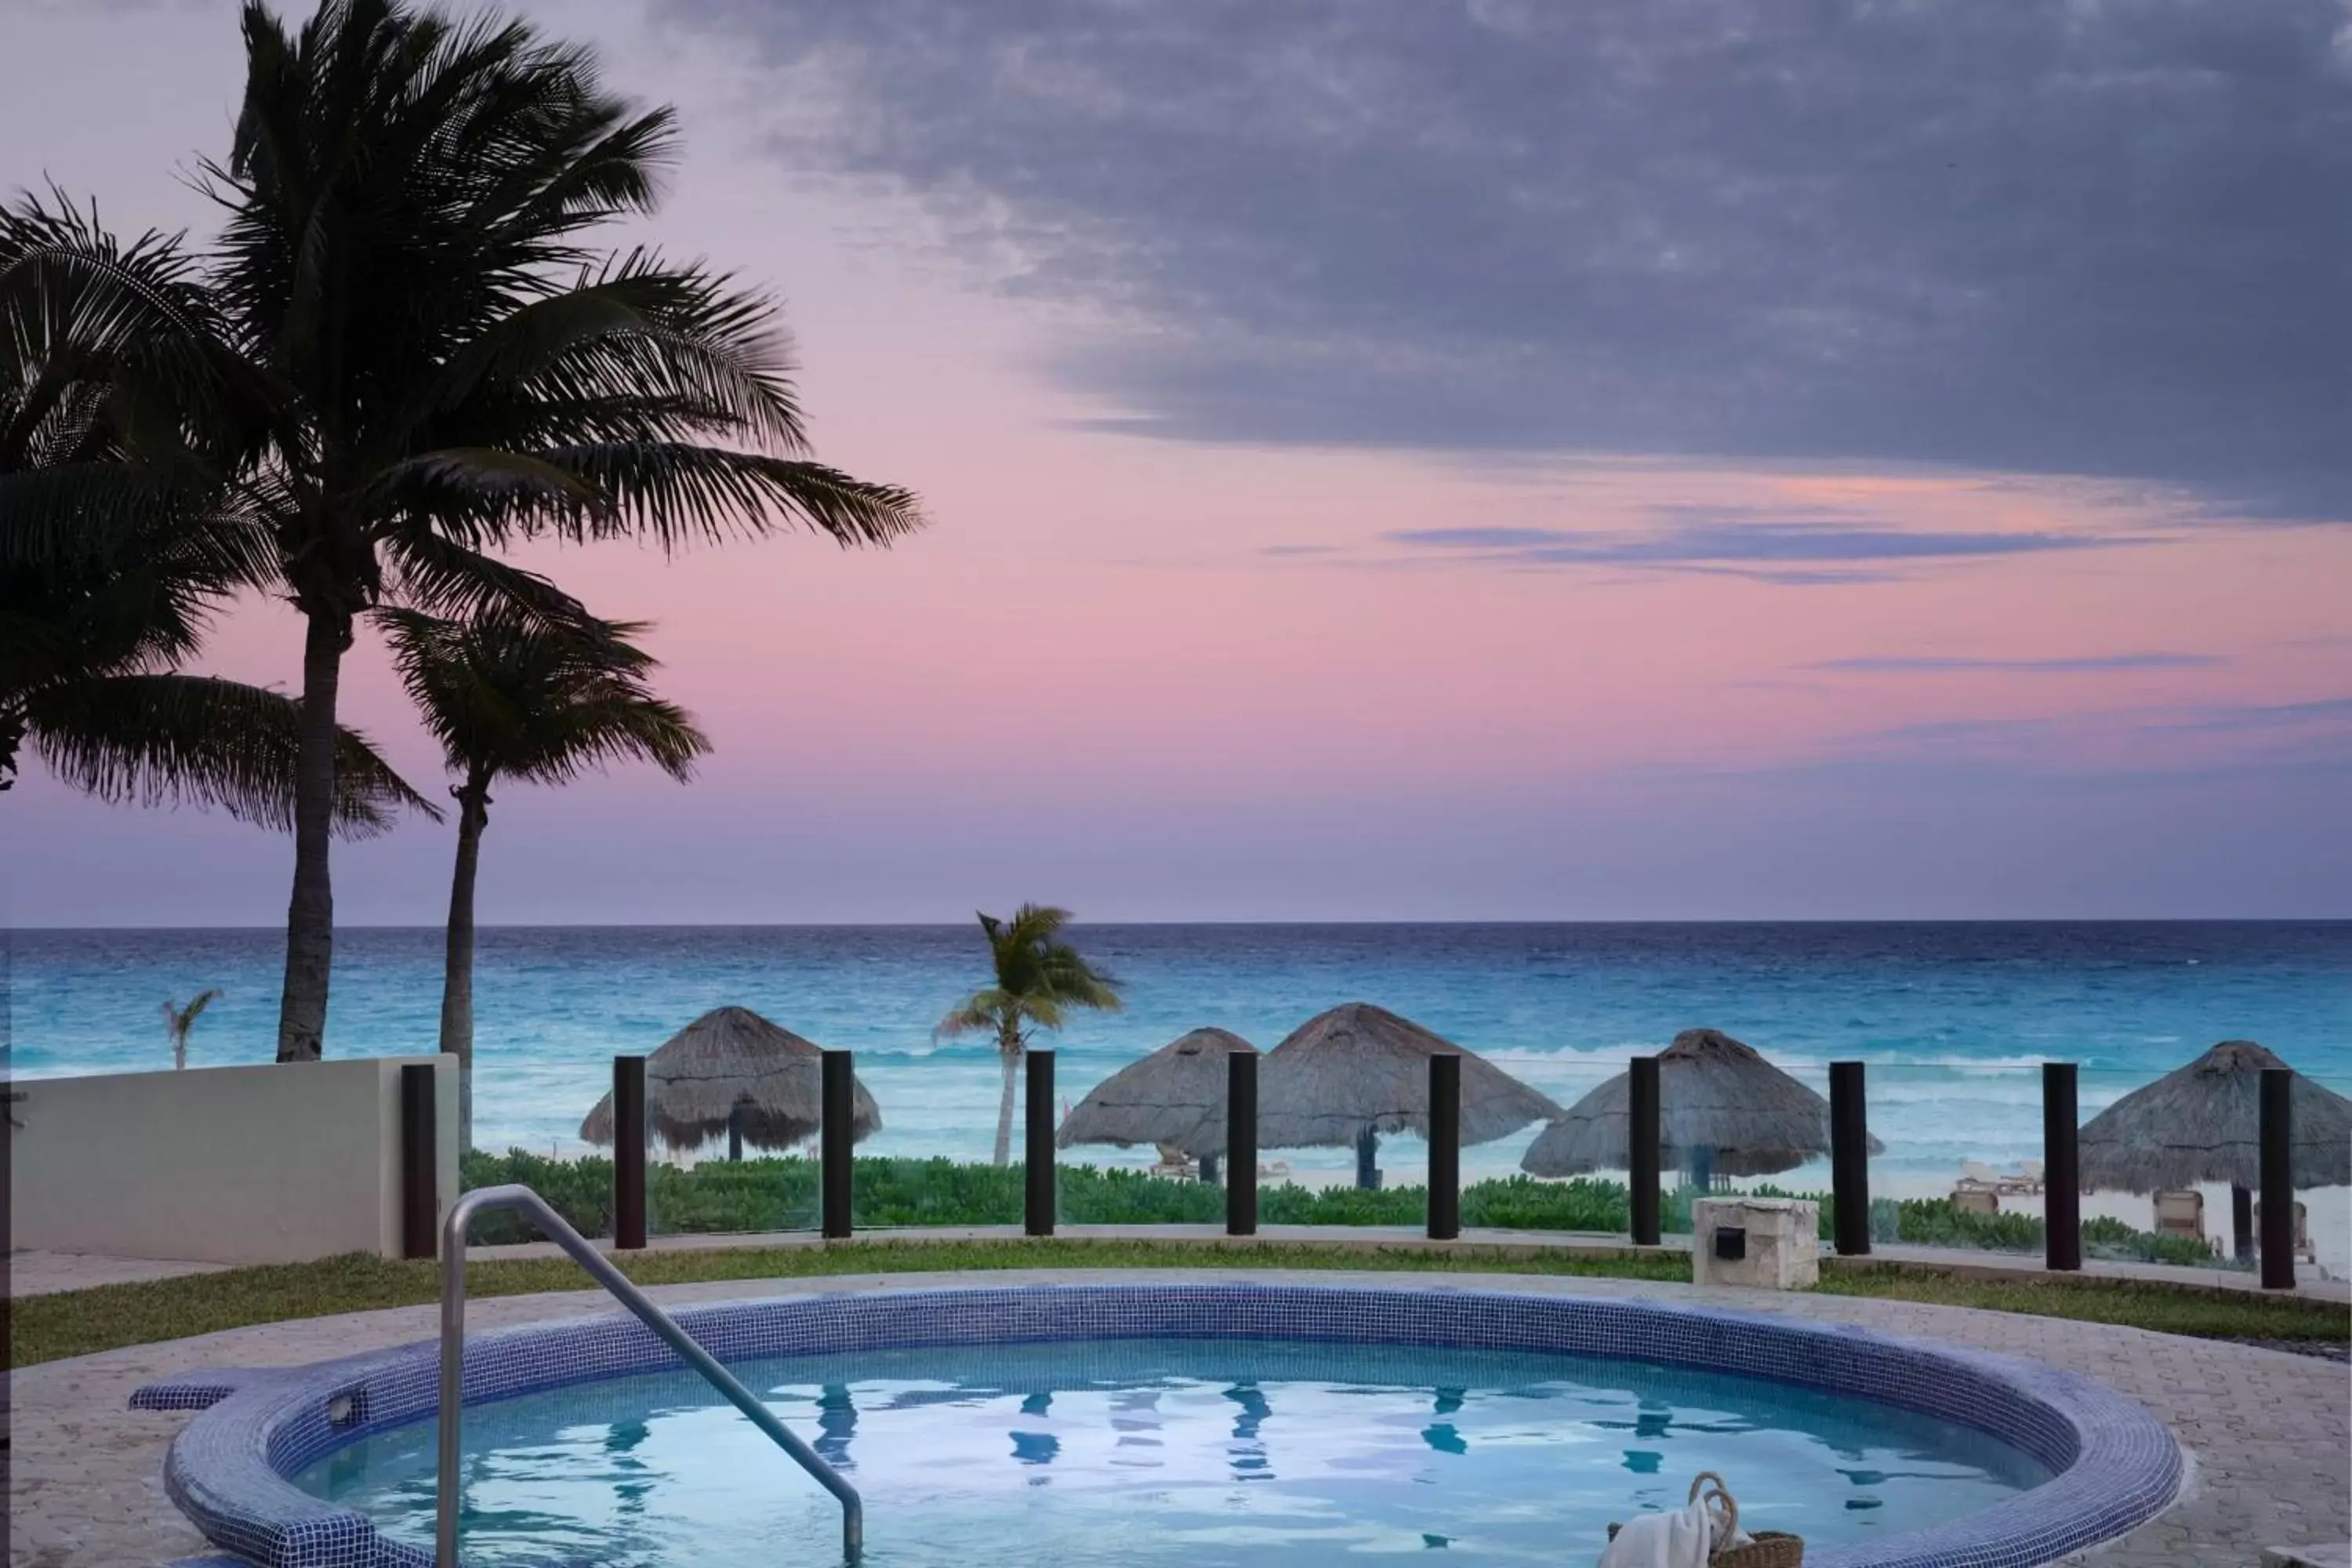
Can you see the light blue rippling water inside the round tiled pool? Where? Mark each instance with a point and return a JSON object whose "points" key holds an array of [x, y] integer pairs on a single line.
{"points": [[1168, 1452]]}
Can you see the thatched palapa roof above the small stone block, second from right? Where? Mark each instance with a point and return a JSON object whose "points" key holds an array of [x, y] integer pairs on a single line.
{"points": [[1716, 1094]]}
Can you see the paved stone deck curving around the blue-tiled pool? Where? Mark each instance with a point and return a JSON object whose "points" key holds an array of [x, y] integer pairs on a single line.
{"points": [[2269, 1433]]}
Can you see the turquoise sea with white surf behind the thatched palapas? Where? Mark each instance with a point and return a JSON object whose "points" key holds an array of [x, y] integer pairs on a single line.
{"points": [[1953, 1017]]}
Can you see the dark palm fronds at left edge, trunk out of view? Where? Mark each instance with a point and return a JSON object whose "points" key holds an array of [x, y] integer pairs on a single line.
{"points": [[116, 544]]}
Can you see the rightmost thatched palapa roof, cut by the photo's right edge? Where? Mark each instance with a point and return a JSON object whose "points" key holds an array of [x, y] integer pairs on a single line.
{"points": [[2205, 1125]]}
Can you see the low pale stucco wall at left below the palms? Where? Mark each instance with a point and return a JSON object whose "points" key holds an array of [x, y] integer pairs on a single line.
{"points": [[222, 1165]]}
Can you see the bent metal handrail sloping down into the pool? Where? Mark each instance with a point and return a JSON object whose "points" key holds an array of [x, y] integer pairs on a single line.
{"points": [[664, 1327]]}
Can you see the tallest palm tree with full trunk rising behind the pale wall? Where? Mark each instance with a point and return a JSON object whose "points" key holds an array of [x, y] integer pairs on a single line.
{"points": [[441, 363]]}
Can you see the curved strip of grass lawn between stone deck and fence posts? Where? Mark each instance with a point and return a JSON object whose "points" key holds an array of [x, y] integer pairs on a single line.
{"points": [[107, 1318]]}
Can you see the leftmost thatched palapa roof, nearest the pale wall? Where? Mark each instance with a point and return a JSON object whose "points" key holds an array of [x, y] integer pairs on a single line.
{"points": [[735, 1059]]}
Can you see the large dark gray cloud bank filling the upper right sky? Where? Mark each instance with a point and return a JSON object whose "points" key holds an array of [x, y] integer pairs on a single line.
{"points": [[2033, 236]]}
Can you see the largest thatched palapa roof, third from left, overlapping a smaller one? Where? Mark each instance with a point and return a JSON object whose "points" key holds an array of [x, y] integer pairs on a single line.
{"points": [[1365, 1068]]}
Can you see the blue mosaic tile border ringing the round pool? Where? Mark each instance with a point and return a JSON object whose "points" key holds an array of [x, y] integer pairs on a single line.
{"points": [[2113, 1463]]}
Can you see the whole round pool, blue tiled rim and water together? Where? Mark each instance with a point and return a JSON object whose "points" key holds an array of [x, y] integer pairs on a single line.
{"points": [[1198, 1426]]}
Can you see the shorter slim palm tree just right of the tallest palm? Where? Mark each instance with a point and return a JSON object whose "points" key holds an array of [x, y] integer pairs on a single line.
{"points": [[512, 697]]}
